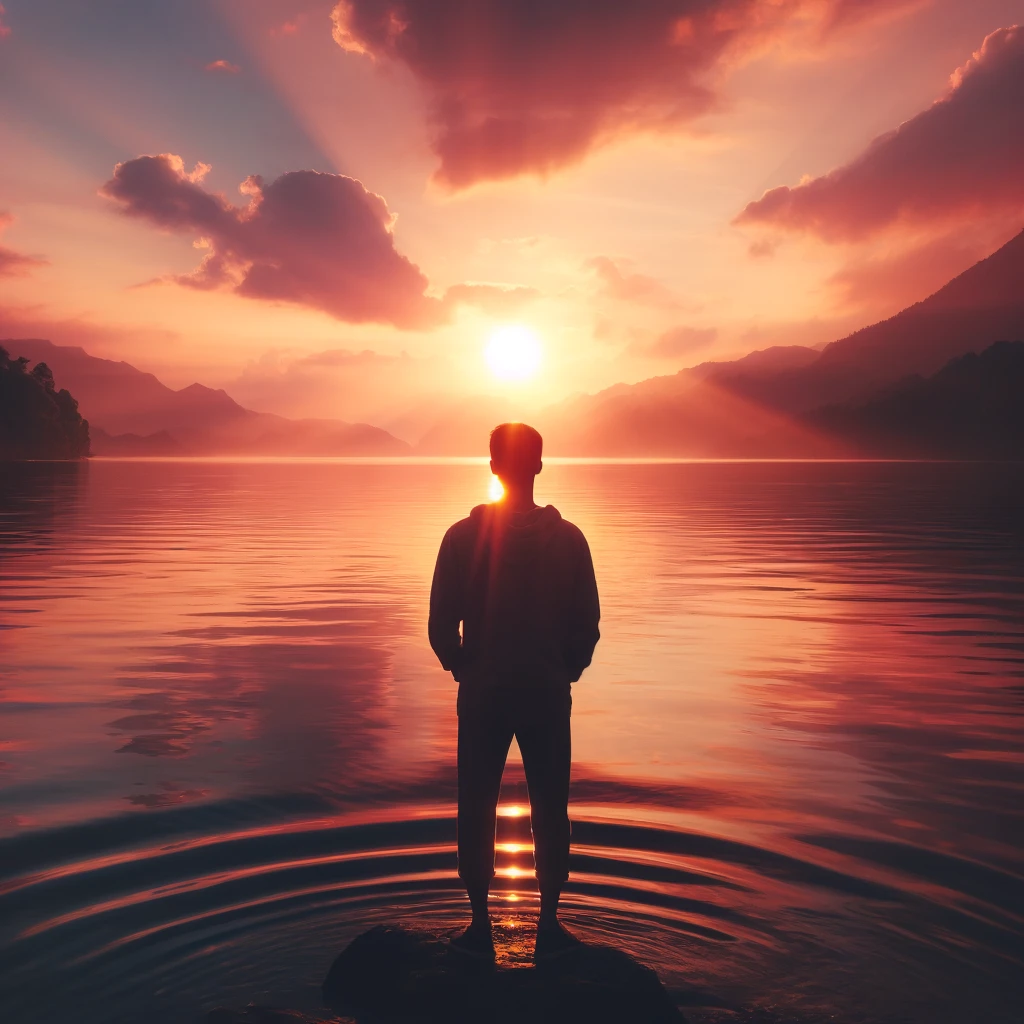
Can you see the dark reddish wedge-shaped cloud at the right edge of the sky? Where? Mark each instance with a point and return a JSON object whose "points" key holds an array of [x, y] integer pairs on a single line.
{"points": [[960, 159]]}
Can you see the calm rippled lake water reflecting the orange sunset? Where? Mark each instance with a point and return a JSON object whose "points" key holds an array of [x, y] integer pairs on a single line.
{"points": [[226, 748]]}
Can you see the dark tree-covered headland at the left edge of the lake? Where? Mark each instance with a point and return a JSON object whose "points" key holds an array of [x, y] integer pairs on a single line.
{"points": [[37, 421]]}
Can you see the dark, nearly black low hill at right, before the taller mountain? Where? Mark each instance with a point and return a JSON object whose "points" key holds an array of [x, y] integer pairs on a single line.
{"points": [[973, 408]]}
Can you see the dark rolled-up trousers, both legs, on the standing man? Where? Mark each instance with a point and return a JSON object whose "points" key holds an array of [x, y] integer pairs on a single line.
{"points": [[489, 718]]}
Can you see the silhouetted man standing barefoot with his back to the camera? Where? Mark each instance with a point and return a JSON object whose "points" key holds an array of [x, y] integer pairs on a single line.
{"points": [[520, 581]]}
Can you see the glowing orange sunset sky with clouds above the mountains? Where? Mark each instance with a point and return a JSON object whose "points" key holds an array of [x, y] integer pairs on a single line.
{"points": [[329, 209]]}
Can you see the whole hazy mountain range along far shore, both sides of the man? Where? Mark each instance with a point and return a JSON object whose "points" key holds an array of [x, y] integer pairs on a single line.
{"points": [[899, 388]]}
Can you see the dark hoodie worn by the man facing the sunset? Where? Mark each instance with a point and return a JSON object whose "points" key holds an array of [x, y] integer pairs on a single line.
{"points": [[523, 587]]}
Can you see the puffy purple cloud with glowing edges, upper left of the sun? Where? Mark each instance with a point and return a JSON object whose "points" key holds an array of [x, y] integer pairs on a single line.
{"points": [[318, 240]]}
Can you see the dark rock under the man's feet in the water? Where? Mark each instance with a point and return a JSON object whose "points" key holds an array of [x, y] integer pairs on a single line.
{"points": [[393, 975]]}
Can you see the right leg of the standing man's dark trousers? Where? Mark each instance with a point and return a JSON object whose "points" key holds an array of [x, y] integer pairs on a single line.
{"points": [[543, 734]]}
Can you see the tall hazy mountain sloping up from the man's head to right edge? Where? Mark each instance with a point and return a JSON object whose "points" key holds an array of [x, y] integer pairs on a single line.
{"points": [[766, 404]]}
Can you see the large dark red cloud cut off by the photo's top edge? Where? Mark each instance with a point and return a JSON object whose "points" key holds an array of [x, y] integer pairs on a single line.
{"points": [[532, 86]]}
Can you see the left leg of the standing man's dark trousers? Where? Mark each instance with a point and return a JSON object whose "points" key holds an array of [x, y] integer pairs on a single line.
{"points": [[485, 737]]}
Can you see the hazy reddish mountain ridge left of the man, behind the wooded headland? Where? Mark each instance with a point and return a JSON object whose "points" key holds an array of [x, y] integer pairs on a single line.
{"points": [[134, 413]]}
